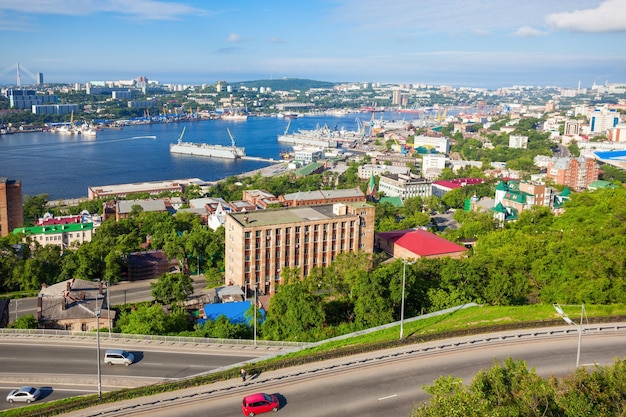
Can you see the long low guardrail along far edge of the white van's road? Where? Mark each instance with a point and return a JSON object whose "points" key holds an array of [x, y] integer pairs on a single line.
{"points": [[66, 334]]}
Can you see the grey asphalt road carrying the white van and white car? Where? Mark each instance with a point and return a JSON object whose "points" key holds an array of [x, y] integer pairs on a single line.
{"points": [[69, 368]]}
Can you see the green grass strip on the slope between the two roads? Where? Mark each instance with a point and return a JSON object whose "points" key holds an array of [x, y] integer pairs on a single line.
{"points": [[472, 320]]}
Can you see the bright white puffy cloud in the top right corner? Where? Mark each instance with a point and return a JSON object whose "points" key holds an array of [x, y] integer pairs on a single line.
{"points": [[610, 16]]}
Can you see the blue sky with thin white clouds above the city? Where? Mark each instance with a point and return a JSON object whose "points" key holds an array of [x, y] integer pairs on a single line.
{"points": [[487, 43]]}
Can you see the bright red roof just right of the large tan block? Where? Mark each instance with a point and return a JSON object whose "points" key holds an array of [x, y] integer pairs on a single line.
{"points": [[421, 242]]}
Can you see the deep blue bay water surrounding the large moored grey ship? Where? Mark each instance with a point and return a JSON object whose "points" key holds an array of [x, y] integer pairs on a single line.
{"points": [[64, 166]]}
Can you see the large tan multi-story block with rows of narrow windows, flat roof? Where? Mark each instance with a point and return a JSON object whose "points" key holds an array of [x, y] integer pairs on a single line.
{"points": [[261, 243]]}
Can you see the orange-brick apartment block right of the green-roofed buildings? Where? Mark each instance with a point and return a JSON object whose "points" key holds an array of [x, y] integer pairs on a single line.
{"points": [[576, 173]]}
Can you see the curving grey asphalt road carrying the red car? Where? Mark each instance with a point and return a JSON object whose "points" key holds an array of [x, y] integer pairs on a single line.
{"points": [[389, 387]]}
